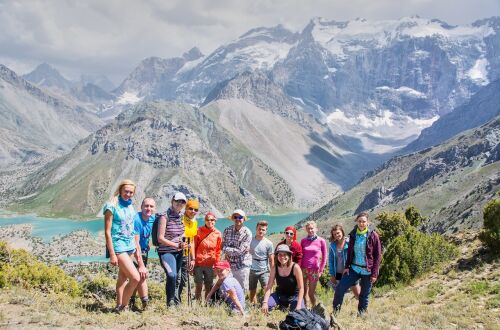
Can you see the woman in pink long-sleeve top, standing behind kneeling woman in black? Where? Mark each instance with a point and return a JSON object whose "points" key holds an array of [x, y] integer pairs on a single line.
{"points": [[313, 260]]}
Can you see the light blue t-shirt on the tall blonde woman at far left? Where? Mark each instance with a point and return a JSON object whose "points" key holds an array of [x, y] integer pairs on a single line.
{"points": [[122, 226]]}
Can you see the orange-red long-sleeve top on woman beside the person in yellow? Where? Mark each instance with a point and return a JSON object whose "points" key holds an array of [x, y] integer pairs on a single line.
{"points": [[207, 245]]}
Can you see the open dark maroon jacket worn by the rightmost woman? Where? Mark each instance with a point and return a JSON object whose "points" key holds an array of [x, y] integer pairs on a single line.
{"points": [[373, 251]]}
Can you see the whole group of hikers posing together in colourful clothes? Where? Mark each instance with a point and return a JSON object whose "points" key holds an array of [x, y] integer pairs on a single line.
{"points": [[230, 265]]}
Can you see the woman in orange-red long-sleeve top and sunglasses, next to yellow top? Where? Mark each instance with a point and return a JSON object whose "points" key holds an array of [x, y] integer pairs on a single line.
{"points": [[207, 243]]}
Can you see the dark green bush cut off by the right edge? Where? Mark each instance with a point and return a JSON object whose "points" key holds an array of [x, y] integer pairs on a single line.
{"points": [[491, 232]]}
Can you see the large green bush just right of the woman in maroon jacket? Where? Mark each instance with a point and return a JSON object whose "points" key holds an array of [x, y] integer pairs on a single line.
{"points": [[413, 254]]}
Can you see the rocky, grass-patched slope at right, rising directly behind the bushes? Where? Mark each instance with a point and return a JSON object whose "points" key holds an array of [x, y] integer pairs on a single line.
{"points": [[450, 183]]}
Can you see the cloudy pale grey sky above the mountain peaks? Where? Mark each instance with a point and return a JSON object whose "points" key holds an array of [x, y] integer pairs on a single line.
{"points": [[111, 37]]}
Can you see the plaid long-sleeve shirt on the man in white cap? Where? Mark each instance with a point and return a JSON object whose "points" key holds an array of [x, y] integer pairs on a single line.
{"points": [[236, 246]]}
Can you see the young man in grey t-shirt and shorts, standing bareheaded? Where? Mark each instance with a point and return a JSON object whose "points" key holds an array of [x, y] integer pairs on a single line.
{"points": [[261, 250]]}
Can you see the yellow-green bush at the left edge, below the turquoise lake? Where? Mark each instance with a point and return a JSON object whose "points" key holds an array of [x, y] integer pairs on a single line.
{"points": [[18, 267]]}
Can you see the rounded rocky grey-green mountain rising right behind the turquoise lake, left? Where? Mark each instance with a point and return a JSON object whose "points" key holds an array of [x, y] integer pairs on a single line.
{"points": [[164, 147]]}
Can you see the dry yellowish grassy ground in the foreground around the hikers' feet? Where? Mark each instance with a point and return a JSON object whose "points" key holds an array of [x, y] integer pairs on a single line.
{"points": [[465, 294]]}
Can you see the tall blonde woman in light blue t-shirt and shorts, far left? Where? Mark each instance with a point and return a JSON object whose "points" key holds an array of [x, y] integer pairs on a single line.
{"points": [[121, 244]]}
